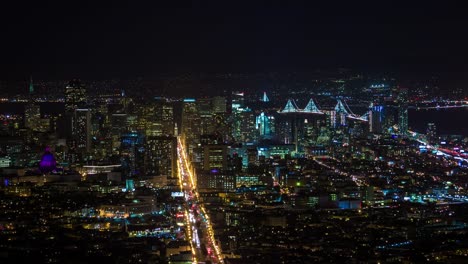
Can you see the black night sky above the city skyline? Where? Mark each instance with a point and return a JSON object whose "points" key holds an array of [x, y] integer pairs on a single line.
{"points": [[65, 39]]}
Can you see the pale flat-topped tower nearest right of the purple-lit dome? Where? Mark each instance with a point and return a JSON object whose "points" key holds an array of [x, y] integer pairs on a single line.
{"points": [[82, 129]]}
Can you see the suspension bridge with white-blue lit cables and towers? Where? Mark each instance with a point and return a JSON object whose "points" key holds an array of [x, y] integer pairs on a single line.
{"points": [[311, 108]]}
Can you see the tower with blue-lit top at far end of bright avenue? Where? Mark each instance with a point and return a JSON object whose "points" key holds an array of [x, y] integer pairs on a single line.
{"points": [[190, 127]]}
